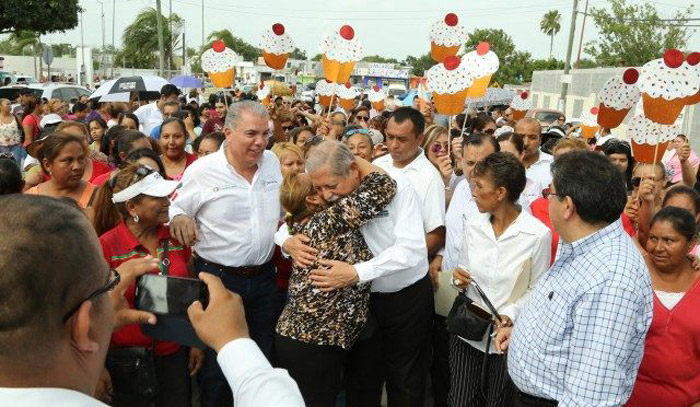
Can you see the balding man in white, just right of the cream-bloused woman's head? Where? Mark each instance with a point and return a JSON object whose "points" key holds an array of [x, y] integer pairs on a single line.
{"points": [[536, 162]]}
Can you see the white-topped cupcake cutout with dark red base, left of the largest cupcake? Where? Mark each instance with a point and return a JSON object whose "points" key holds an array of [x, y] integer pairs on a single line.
{"points": [[618, 96]]}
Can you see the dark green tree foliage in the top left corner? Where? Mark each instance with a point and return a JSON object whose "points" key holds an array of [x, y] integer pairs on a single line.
{"points": [[39, 16]]}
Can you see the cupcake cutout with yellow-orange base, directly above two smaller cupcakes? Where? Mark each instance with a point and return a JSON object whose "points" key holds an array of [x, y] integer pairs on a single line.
{"points": [[340, 52]]}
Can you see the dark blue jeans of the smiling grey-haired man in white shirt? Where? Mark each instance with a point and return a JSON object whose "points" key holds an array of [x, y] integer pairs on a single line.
{"points": [[260, 300]]}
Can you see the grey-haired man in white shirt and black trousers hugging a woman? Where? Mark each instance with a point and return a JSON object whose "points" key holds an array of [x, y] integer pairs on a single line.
{"points": [[402, 299]]}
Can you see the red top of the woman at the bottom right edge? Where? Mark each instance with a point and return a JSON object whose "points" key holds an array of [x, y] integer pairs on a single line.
{"points": [[669, 375]]}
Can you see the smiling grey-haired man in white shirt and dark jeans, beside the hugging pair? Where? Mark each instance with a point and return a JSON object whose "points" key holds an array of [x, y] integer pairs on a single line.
{"points": [[229, 207]]}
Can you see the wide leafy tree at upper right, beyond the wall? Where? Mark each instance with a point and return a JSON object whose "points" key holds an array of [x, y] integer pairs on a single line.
{"points": [[631, 35]]}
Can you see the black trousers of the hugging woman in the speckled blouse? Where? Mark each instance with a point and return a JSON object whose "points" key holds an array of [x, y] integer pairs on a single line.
{"points": [[317, 369]]}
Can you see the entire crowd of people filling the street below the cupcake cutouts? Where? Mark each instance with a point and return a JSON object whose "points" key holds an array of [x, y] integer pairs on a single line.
{"points": [[339, 231]]}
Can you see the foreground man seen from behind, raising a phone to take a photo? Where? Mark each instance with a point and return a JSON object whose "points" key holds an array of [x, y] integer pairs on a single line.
{"points": [[59, 309]]}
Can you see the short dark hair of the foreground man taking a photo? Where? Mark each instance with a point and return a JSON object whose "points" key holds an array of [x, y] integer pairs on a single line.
{"points": [[42, 278]]}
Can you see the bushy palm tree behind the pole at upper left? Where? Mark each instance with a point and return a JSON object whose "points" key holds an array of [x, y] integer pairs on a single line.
{"points": [[140, 39]]}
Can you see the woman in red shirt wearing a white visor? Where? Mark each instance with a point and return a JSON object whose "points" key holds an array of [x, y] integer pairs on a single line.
{"points": [[140, 195]]}
